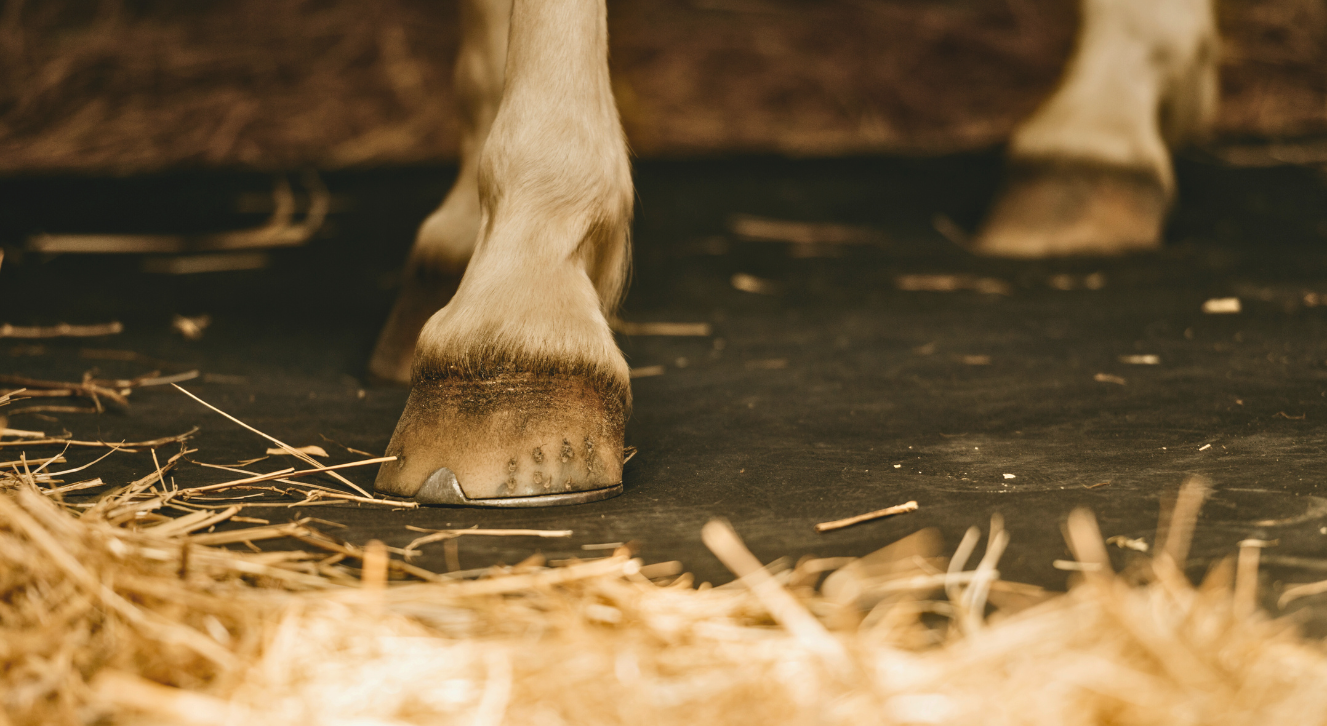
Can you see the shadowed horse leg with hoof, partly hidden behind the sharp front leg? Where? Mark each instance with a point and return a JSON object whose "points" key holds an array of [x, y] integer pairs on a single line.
{"points": [[447, 240]]}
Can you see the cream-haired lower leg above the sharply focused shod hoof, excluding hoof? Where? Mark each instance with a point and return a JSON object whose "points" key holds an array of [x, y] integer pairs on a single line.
{"points": [[555, 193]]}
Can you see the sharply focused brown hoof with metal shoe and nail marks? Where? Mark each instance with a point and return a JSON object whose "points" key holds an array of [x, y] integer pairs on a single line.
{"points": [[512, 440]]}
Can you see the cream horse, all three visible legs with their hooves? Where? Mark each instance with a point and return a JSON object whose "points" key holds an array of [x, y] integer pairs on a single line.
{"points": [[520, 394]]}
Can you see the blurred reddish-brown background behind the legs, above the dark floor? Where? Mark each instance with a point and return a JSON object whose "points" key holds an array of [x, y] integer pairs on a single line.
{"points": [[125, 87]]}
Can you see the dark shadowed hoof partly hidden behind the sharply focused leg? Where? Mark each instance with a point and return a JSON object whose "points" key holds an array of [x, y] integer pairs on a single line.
{"points": [[416, 305]]}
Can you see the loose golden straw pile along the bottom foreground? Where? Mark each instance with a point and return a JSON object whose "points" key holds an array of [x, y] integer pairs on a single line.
{"points": [[111, 614]]}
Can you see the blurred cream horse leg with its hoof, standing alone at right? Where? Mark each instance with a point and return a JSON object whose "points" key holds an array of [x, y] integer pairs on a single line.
{"points": [[1090, 171]]}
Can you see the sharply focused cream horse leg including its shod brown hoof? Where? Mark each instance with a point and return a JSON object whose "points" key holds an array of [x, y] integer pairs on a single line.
{"points": [[520, 388]]}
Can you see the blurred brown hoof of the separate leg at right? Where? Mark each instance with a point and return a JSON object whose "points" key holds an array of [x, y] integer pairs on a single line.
{"points": [[1062, 209]]}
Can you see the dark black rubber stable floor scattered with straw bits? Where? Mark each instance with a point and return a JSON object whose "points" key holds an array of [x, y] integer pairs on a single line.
{"points": [[831, 394]]}
